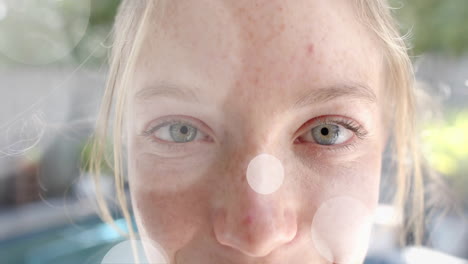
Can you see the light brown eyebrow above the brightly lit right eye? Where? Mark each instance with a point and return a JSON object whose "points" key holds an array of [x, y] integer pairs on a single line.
{"points": [[321, 95]]}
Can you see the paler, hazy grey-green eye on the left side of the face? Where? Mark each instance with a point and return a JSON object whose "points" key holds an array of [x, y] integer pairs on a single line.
{"points": [[177, 132]]}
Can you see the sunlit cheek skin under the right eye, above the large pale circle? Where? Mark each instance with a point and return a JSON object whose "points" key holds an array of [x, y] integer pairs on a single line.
{"points": [[326, 174]]}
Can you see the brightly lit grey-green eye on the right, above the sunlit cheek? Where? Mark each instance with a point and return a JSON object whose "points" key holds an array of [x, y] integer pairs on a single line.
{"points": [[327, 134]]}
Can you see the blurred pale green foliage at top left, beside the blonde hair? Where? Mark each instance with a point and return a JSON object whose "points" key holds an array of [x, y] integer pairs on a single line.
{"points": [[58, 24]]}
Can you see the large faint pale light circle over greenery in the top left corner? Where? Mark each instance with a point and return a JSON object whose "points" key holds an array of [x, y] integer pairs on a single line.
{"points": [[41, 32]]}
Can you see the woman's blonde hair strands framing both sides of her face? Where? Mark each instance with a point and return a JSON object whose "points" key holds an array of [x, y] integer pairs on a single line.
{"points": [[130, 27]]}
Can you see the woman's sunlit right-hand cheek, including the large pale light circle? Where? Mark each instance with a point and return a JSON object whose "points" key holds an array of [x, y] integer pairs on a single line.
{"points": [[341, 198]]}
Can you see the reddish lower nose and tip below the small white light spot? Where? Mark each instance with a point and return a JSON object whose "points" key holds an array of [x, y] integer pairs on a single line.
{"points": [[252, 223]]}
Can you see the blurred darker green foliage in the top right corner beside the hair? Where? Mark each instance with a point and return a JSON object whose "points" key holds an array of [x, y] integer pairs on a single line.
{"points": [[436, 25]]}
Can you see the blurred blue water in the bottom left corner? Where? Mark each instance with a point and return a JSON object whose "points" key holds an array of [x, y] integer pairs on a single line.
{"points": [[85, 242]]}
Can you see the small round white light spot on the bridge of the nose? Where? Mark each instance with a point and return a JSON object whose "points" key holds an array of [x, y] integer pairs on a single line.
{"points": [[265, 174]]}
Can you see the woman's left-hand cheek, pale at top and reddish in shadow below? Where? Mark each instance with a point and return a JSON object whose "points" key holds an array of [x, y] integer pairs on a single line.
{"points": [[163, 198]]}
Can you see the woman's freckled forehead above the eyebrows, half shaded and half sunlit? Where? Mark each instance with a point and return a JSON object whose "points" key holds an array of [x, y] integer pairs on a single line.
{"points": [[277, 47]]}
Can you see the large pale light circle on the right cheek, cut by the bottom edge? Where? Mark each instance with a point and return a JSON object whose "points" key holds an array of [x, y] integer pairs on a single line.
{"points": [[341, 230]]}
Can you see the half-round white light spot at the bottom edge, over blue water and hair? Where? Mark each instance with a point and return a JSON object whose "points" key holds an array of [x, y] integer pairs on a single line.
{"points": [[147, 252]]}
